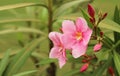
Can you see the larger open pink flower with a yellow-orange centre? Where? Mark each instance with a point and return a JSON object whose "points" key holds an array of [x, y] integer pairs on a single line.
{"points": [[76, 36]]}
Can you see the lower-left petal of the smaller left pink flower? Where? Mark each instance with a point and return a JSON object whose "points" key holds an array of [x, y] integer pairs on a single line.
{"points": [[54, 52]]}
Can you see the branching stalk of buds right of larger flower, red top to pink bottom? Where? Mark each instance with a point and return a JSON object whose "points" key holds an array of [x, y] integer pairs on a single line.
{"points": [[91, 12]]}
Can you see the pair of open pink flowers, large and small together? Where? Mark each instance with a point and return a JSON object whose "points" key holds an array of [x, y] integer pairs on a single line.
{"points": [[75, 38]]}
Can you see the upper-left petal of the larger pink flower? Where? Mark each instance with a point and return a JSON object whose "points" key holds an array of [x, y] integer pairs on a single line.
{"points": [[68, 26]]}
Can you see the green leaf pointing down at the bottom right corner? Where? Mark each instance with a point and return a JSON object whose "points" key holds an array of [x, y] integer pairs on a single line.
{"points": [[117, 61]]}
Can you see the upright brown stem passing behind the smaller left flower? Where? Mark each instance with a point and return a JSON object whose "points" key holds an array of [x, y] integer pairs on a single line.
{"points": [[51, 70]]}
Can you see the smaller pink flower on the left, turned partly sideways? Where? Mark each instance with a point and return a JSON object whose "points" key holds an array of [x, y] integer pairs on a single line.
{"points": [[58, 50]]}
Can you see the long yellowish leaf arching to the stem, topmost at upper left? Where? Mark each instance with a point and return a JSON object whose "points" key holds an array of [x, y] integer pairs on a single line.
{"points": [[13, 6]]}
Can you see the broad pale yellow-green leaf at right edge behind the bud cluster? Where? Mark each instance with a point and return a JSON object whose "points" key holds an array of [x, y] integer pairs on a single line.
{"points": [[110, 25]]}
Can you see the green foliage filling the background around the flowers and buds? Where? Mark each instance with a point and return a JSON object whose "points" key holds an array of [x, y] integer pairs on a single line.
{"points": [[24, 43]]}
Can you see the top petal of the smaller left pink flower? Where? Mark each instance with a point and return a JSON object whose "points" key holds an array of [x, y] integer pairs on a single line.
{"points": [[55, 37]]}
